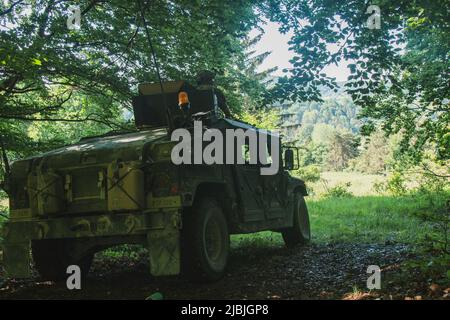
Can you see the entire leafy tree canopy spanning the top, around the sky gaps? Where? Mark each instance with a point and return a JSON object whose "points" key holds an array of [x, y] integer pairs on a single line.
{"points": [[55, 83]]}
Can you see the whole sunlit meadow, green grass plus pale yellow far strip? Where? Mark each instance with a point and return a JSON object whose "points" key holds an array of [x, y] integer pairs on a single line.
{"points": [[367, 217]]}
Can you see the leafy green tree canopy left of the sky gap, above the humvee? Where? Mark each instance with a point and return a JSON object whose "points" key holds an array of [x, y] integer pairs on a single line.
{"points": [[50, 73]]}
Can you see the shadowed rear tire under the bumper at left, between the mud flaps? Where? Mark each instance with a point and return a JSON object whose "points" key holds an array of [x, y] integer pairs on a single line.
{"points": [[52, 257]]}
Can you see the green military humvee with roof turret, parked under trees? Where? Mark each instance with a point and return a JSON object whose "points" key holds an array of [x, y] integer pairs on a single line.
{"points": [[114, 189]]}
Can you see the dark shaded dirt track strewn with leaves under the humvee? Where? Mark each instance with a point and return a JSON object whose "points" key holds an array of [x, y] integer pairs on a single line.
{"points": [[314, 272]]}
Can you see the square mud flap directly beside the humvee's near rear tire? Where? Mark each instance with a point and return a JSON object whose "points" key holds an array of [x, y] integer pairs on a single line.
{"points": [[164, 251]]}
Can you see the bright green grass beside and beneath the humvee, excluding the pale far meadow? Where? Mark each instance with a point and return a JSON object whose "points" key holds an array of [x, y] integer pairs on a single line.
{"points": [[368, 219]]}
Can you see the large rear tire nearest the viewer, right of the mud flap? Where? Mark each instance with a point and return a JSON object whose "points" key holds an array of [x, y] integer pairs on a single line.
{"points": [[205, 242]]}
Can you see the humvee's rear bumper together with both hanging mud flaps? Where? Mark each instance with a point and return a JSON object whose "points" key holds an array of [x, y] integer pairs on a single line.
{"points": [[161, 229]]}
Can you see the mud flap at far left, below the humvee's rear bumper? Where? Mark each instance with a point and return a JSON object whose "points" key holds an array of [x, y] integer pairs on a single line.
{"points": [[16, 260]]}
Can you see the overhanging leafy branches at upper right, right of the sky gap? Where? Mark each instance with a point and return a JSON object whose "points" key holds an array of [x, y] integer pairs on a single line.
{"points": [[399, 72]]}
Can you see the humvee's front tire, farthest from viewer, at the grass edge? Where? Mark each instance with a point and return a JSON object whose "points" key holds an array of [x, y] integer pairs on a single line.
{"points": [[300, 232]]}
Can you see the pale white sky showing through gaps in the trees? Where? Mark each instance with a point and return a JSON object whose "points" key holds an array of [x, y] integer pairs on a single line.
{"points": [[277, 43]]}
